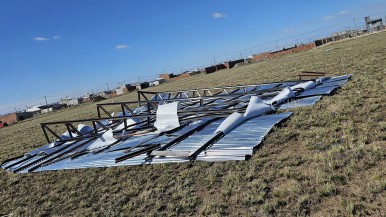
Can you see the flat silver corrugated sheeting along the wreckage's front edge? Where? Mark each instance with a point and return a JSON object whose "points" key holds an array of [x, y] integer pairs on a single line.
{"points": [[240, 142]]}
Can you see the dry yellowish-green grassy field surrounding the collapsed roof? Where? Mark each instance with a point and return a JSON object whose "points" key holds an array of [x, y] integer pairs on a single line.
{"points": [[326, 160]]}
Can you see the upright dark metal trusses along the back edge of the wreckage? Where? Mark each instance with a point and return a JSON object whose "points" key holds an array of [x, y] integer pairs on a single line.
{"points": [[194, 102]]}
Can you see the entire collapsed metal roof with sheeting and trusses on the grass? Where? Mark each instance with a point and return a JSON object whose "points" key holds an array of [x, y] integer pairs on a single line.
{"points": [[213, 124]]}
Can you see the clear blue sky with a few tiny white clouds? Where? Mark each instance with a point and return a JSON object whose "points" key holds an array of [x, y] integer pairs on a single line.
{"points": [[59, 48]]}
